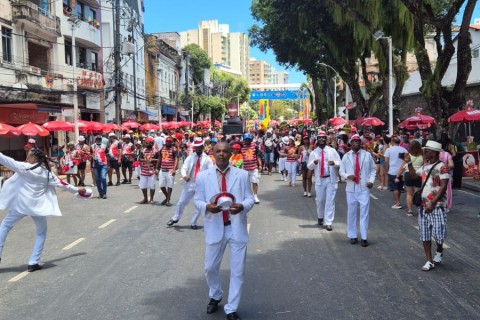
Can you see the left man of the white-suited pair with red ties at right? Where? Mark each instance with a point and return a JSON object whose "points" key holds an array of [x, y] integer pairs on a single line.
{"points": [[325, 160]]}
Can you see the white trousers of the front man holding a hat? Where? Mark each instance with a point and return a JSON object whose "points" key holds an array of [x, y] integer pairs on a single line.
{"points": [[213, 259]]}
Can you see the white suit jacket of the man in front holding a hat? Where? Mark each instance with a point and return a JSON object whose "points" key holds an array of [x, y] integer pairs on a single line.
{"points": [[239, 185]]}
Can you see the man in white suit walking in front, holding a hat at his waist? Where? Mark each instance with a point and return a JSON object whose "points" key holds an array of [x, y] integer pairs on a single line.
{"points": [[227, 227]]}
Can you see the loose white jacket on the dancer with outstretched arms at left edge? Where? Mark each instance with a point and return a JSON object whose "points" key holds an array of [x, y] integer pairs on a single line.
{"points": [[31, 192]]}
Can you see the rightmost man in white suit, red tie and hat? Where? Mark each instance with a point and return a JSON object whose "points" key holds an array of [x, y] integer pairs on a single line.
{"points": [[358, 169]]}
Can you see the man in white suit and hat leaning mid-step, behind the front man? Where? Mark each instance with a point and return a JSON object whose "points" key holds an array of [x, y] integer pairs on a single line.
{"points": [[195, 163]]}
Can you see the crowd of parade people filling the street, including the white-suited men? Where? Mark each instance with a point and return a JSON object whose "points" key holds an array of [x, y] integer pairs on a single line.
{"points": [[209, 163]]}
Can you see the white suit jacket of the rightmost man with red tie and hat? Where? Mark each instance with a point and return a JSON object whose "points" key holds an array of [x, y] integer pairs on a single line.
{"points": [[367, 170]]}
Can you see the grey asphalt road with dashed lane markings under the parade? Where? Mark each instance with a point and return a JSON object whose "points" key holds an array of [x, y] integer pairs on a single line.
{"points": [[116, 259]]}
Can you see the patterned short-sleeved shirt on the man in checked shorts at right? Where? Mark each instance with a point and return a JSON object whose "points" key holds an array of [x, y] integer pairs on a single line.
{"points": [[434, 183]]}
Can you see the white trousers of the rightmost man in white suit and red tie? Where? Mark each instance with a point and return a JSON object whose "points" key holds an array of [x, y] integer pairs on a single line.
{"points": [[358, 200]]}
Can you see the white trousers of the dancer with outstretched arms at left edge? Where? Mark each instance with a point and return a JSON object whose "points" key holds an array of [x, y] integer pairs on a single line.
{"points": [[12, 218]]}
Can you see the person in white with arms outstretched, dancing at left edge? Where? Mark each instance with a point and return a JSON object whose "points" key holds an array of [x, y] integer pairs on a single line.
{"points": [[31, 192]]}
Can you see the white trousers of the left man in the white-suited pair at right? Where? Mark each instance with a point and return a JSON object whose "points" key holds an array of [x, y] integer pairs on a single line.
{"points": [[325, 200]]}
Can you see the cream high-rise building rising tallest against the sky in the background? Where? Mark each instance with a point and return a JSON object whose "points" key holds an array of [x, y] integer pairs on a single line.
{"points": [[223, 47]]}
